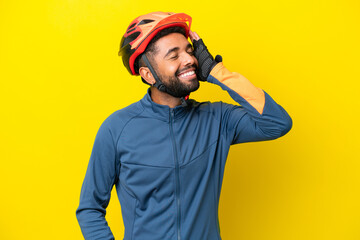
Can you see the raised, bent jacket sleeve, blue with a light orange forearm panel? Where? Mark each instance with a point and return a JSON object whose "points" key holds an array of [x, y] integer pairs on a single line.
{"points": [[259, 117]]}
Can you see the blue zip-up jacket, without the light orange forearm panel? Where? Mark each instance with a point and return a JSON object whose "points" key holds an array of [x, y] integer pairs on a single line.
{"points": [[167, 165]]}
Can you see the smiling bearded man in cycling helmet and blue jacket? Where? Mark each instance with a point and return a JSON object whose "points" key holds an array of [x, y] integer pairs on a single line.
{"points": [[166, 153]]}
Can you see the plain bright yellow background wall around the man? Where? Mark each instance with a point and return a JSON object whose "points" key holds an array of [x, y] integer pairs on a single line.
{"points": [[60, 77]]}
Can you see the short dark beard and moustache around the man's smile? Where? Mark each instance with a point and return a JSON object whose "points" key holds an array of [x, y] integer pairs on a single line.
{"points": [[178, 89]]}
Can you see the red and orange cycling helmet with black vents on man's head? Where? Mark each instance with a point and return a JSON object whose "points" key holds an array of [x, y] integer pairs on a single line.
{"points": [[143, 29]]}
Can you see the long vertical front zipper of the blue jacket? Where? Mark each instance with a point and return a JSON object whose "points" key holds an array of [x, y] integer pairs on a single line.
{"points": [[177, 178]]}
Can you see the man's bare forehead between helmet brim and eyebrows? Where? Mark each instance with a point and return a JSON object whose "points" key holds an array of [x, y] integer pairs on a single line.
{"points": [[170, 41]]}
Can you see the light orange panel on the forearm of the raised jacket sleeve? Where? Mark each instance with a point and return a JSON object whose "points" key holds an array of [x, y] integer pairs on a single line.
{"points": [[253, 95]]}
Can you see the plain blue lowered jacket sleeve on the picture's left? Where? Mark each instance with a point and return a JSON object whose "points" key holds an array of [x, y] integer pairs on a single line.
{"points": [[96, 188]]}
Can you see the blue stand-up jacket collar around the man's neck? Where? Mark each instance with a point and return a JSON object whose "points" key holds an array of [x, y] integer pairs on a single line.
{"points": [[163, 112]]}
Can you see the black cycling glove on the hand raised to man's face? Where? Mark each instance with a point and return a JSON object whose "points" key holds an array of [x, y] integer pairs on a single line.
{"points": [[205, 59]]}
